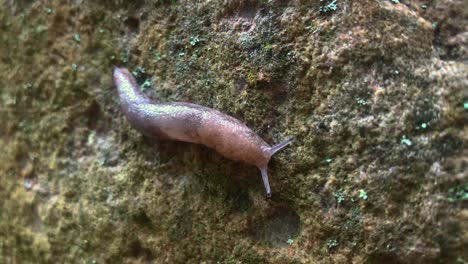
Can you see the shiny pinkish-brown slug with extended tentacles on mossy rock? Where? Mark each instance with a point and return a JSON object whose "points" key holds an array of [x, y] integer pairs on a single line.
{"points": [[193, 123]]}
